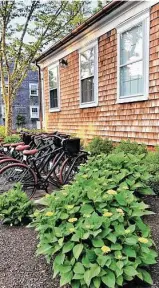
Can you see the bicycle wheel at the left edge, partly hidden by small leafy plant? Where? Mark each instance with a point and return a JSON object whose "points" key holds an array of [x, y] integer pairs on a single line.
{"points": [[14, 173]]}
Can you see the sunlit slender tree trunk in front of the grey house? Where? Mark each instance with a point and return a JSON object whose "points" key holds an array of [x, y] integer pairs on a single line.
{"points": [[8, 117]]}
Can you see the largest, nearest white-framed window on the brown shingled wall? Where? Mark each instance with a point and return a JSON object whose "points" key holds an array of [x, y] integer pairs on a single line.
{"points": [[133, 60]]}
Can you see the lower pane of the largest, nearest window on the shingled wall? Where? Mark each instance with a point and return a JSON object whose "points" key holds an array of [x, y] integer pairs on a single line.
{"points": [[131, 79]]}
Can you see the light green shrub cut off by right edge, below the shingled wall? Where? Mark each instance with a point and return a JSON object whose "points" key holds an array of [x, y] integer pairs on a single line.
{"points": [[152, 164]]}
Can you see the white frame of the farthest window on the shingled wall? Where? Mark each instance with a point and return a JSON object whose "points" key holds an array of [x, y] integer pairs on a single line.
{"points": [[57, 109]]}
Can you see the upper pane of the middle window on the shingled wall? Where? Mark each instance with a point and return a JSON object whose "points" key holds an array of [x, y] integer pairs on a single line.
{"points": [[87, 63]]}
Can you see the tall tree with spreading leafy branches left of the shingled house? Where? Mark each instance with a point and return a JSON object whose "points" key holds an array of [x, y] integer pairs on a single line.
{"points": [[25, 29]]}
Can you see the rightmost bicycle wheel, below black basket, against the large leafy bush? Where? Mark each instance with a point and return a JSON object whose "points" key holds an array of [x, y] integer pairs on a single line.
{"points": [[70, 168]]}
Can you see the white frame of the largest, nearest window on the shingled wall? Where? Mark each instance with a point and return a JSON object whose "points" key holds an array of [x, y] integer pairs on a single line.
{"points": [[145, 19]]}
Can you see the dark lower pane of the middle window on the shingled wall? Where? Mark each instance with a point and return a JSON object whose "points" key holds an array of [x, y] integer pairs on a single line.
{"points": [[87, 90]]}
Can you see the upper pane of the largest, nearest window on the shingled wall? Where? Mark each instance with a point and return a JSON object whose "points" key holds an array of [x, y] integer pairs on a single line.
{"points": [[131, 44]]}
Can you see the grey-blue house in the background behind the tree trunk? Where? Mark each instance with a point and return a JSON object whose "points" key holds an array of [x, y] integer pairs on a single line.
{"points": [[26, 102]]}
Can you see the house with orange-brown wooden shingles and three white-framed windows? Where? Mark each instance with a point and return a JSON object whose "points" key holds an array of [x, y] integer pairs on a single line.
{"points": [[103, 78]]}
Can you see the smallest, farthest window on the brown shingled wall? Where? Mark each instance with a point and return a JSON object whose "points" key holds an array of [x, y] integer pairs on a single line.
{"points": [[54, 87]]}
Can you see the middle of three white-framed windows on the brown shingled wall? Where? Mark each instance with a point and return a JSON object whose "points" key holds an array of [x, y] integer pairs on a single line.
{"points": [[89, 76]]}
